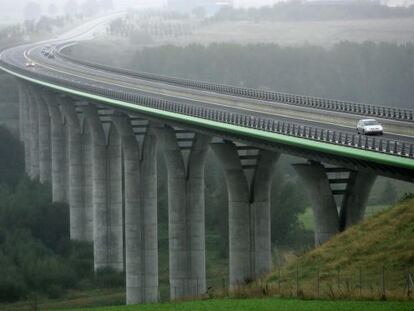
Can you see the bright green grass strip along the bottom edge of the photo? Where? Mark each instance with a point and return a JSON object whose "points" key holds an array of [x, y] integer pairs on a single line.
{"points": [[267, 304]]}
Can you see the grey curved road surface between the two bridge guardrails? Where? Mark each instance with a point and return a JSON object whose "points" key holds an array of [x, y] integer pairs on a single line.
{"points": [[399, 131]]}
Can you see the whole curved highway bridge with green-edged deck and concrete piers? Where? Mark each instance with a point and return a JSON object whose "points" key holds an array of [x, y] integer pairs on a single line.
{"points": [[92, 131]]}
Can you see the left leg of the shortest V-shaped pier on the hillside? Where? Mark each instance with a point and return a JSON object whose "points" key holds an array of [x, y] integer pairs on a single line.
{"points": [[325, 211]]}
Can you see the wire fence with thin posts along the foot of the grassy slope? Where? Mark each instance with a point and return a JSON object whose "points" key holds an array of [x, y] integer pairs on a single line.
{"points": [[372, 283]]}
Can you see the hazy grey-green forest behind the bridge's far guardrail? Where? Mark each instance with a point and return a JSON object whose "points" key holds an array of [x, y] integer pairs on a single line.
{"points": [[376, 73]]}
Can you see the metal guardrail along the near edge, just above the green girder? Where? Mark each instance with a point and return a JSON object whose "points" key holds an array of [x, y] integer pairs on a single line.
{"points": [[381, 145]]}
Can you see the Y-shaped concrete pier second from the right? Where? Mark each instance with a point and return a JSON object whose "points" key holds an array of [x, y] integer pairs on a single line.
{"points": [[249, 213]]}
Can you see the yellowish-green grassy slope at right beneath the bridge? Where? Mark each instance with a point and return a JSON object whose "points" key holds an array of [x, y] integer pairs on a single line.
{"points": [[369, 259]]}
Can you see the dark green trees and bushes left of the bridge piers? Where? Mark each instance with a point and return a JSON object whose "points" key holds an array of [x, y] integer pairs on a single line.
{"points": [[36, 256]]}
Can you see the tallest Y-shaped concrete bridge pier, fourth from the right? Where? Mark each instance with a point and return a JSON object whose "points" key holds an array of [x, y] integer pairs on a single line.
{"points": [[141, 237]]}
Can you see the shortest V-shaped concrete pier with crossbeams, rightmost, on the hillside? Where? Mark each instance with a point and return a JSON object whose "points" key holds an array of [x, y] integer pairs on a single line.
{"points": [[327, 220]]}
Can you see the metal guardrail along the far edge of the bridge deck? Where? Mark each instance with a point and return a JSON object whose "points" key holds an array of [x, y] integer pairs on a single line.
{"points": [[285, 98]]}
